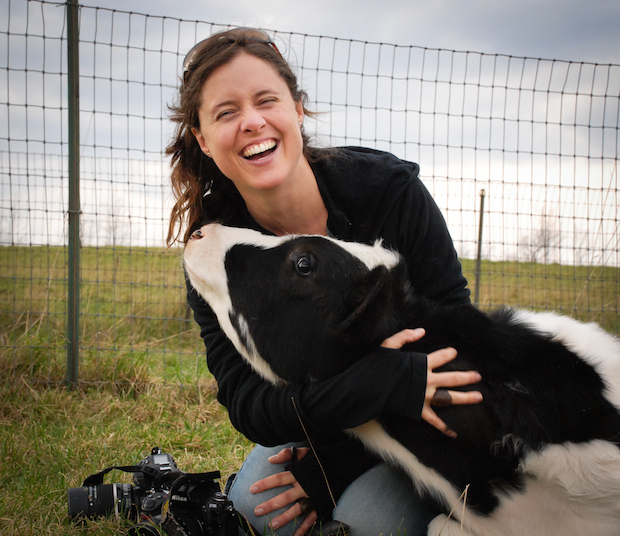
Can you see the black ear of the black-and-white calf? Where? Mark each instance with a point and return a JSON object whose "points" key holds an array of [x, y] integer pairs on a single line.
{"points": [[368, 301]]}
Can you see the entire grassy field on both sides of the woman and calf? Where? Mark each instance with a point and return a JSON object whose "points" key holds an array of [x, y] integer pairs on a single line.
{"points": [[143, 376]]}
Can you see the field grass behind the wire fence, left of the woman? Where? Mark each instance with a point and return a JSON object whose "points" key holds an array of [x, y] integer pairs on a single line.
{"points": [[133, 314]]}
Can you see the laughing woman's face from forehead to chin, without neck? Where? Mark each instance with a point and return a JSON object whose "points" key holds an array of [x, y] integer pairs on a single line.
{"points": [[250, 125]]}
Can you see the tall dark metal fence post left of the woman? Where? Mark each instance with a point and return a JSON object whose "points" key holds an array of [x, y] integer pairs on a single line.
{"points": [[73, 275]]}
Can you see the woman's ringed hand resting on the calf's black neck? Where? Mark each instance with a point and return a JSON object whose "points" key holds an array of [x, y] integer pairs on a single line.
{"points": [[436, 382]]}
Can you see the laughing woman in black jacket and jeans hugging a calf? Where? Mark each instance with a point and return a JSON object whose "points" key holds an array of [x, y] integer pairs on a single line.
{"points": [[240, 156]]}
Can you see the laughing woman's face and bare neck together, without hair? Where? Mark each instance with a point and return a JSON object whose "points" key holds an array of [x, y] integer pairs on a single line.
{"points": [[250, 127]]}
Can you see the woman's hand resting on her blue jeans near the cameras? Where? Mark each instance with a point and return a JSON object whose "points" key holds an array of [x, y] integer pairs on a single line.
{"points": [[296, 497]]}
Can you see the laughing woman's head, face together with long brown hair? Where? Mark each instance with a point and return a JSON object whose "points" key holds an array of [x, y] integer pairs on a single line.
{"points": [[263, 100]]}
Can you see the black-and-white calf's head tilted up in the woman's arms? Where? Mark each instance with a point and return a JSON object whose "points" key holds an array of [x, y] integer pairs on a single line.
{"points": [[298, 308]]}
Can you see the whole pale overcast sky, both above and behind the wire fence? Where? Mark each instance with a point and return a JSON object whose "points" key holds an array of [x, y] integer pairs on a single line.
{"points": [[570, 30]]}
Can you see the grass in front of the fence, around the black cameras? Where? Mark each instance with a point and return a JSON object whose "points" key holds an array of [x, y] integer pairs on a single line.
{"points": [[52, 438]]}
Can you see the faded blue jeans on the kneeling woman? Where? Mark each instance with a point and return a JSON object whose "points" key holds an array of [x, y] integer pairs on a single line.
{"points": [[382, 501]]}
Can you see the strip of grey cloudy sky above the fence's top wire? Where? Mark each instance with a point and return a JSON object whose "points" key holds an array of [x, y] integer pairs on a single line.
{"points": [[576, 30]]}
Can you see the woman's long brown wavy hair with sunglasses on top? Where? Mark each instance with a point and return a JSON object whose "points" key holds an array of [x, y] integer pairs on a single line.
{"points": [[203, 194]]}
